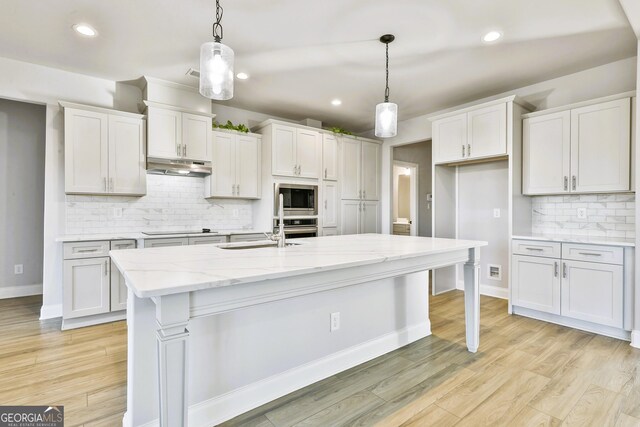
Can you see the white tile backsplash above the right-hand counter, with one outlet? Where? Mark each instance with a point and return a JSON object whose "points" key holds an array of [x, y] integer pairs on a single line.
{"points": [[608, 215]]}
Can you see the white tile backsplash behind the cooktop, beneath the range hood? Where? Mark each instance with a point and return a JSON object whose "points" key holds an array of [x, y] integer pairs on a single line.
{"points": [[171, 203]]}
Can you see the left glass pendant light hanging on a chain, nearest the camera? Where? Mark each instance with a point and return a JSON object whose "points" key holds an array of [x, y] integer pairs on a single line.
{"points": [[216, 64]]}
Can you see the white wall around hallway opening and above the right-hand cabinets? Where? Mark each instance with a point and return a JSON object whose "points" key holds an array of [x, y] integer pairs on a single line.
{"points": [[608, 79]]}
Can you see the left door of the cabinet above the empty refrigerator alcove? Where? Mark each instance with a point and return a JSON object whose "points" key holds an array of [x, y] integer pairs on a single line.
{"points": [[450, 139]]}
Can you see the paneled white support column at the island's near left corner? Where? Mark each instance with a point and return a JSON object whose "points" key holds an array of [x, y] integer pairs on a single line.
{"points": [[172, 316]]}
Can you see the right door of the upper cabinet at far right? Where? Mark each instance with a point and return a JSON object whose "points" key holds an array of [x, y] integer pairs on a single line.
{"points": [[600, 147]]}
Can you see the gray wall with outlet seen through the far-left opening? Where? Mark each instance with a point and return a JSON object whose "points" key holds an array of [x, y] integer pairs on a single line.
{"points": [[22, 150]]}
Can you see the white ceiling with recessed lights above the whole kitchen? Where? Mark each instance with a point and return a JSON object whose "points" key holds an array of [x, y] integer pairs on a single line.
{"points": [[301, 54]]}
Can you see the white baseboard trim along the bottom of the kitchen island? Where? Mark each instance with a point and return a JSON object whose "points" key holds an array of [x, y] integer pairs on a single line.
{"points": [[227, 406]]}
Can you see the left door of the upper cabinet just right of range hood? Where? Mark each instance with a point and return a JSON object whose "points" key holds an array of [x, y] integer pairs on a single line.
{"points": [[223, 175]]}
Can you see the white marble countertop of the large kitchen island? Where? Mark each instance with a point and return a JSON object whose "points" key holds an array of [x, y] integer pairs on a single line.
{"points": [[163, 271]]}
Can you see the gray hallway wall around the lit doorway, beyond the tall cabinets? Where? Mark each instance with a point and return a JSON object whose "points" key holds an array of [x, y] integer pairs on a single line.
{"points": [[419, 153]]}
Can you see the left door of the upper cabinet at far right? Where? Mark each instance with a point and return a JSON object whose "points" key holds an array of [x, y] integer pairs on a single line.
{"points": [[547, 153]]}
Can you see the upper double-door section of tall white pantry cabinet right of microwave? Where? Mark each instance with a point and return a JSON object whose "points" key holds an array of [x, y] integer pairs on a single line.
{"points": [[361, 165]]}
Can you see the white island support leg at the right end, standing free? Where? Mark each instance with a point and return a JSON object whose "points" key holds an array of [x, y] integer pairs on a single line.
{"points": [[472, 299]]}
